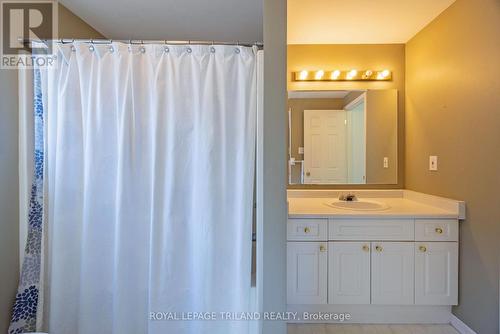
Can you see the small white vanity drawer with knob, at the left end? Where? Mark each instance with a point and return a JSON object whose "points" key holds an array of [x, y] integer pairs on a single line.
{"points": [[307, 229]]}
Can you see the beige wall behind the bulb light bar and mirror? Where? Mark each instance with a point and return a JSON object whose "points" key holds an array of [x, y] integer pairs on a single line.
{"points": [[367, 56]]}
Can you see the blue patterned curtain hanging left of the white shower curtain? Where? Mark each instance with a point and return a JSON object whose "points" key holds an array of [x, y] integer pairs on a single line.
{"points": [[24, 312]]}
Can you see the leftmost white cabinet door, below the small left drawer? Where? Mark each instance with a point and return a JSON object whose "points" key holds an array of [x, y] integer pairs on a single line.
{"points": [[306, 272]]}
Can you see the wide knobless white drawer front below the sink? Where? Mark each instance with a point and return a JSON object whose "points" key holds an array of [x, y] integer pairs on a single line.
{"points": [[371, 229]]}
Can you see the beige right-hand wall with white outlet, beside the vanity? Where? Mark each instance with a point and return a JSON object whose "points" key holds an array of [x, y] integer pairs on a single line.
{"points": [[453, 111]]}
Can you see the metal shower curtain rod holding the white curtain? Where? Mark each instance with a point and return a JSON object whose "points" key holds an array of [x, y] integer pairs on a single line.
{"points": [[260, 45]]}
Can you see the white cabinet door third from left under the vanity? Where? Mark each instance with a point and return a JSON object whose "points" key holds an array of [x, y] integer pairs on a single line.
{"points": [[392, 273]]}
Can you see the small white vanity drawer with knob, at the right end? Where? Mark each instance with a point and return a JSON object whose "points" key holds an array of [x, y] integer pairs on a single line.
{"points": [[436, 230]]}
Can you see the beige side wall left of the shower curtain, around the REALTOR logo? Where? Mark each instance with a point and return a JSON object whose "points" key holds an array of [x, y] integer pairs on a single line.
{"points": [[70, 26]]}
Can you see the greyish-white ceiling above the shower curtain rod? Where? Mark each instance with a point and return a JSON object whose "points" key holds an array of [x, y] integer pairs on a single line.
{"points": [[221, 20]]}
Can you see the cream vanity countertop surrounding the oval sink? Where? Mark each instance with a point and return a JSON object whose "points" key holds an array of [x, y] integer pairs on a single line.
{"points": [[408, 205]]}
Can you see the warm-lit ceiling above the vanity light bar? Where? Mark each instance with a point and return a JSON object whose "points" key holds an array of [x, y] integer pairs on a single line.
{"points": [[359, 21]]}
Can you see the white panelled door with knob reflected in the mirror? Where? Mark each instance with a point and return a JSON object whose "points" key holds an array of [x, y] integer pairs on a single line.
{"points": [[325, 155]]}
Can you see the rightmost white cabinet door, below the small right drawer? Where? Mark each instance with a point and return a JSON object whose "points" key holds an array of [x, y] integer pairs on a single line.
{"points": [[436, 273]]}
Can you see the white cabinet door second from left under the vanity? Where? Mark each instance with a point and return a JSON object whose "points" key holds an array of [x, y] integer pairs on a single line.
{"points": [[348, 272]]}
